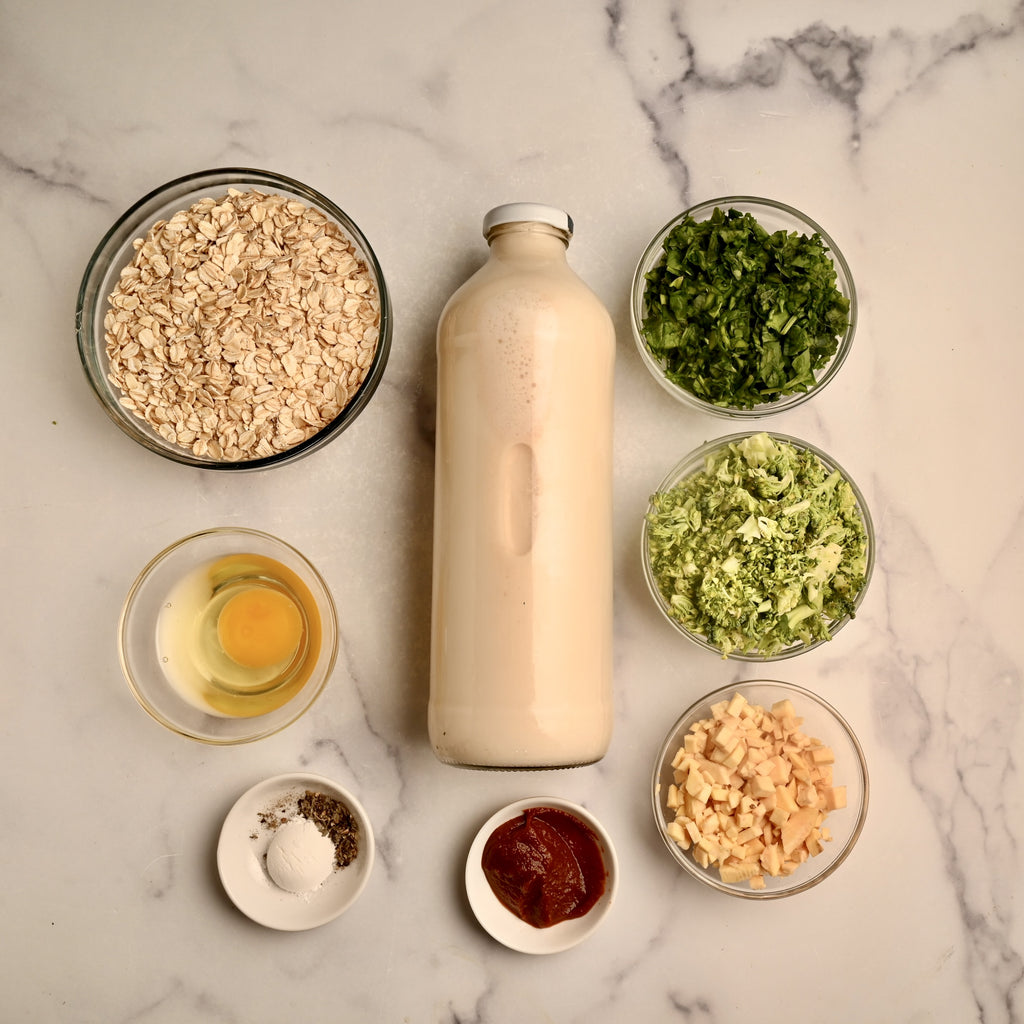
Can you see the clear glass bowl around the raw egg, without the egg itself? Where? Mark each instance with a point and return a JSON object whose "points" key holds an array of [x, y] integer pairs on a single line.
{"points": [[138, 636]]}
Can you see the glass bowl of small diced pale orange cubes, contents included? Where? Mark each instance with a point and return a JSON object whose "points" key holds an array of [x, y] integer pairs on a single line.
{"points": [[760, 790]]}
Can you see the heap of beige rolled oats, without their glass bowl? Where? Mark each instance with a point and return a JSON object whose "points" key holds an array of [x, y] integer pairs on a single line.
{"points": [[243, 326]]}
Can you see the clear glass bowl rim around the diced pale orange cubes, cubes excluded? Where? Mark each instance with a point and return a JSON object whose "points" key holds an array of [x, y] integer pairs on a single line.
{"points": [[706, 876]]}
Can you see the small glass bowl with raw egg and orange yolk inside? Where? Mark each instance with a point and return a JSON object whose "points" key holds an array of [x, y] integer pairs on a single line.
{"points": [[228, 636]]}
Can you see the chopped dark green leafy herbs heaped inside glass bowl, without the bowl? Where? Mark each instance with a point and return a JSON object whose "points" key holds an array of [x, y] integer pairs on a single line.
{"points": [[741, 318]]}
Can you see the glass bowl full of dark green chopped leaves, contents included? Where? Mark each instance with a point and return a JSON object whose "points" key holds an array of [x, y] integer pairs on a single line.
{"points": [[743, 308]]}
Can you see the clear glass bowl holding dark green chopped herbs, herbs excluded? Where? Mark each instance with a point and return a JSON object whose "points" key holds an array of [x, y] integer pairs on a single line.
{"points": [[773, 217]]}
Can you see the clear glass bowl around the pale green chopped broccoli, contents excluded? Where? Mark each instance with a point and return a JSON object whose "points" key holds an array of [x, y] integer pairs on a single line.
{"points": [[694, 464]]}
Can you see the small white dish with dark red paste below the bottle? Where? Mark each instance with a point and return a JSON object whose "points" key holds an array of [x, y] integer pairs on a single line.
{"points": [[547, 912]]}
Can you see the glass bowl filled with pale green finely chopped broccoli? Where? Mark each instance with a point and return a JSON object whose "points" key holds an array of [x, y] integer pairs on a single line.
{"points": [[758, 547]]}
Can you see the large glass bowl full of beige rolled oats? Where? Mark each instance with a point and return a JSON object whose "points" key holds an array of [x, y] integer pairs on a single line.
{"points": [[234, 320]]}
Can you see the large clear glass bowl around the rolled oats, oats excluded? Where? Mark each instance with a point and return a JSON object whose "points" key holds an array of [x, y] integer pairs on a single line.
{"points": [[116, 251]]}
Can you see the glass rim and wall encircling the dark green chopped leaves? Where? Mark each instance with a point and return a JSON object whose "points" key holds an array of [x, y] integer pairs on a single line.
{"points": [[650, 260]]}
